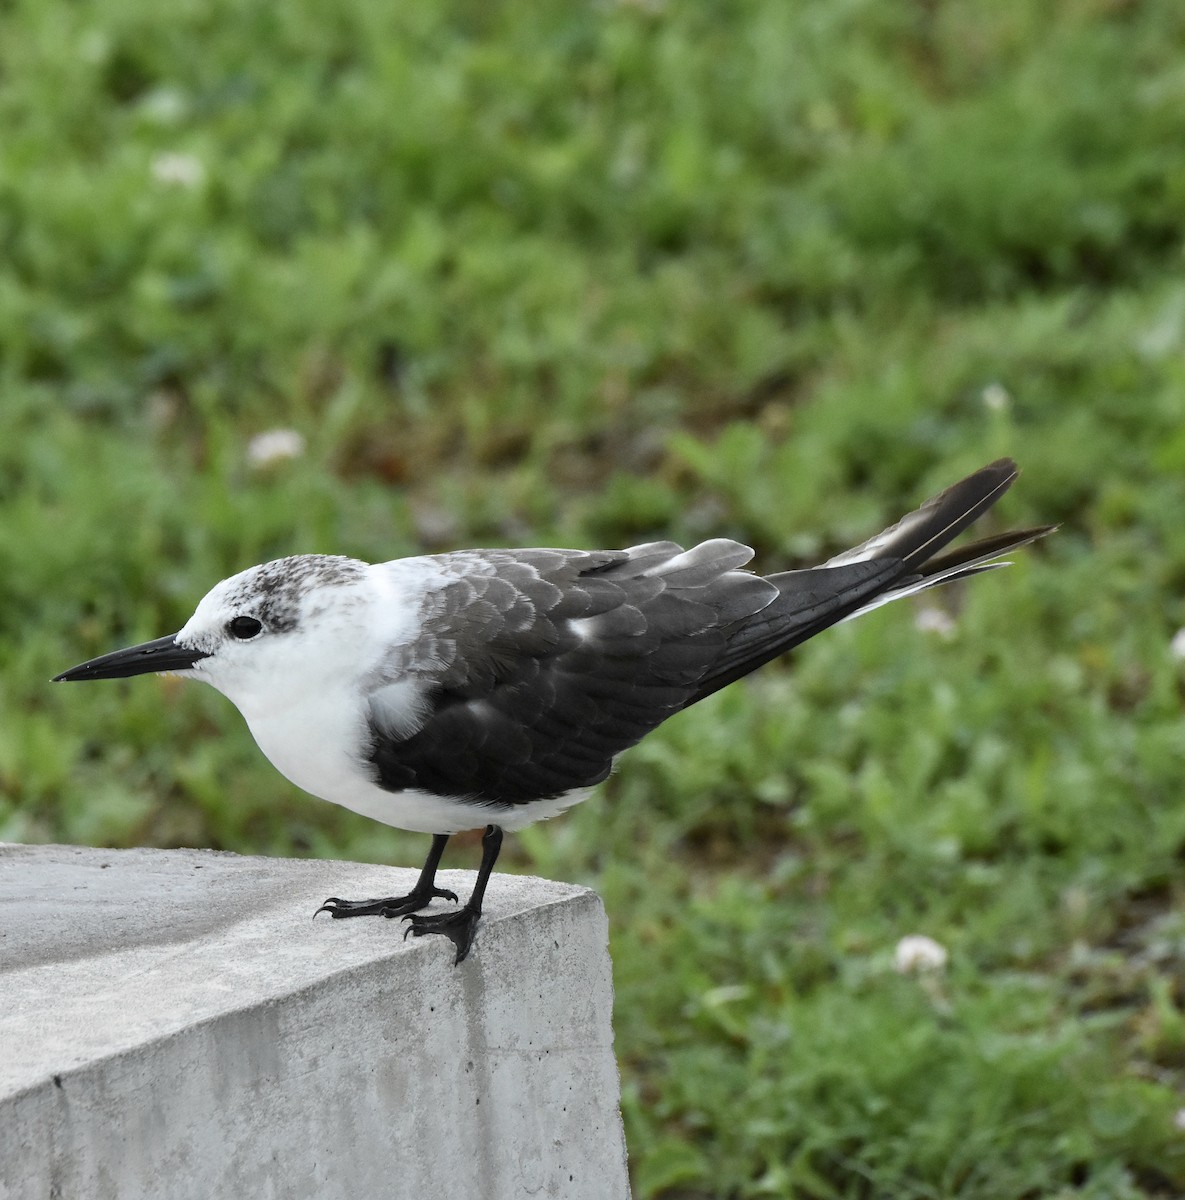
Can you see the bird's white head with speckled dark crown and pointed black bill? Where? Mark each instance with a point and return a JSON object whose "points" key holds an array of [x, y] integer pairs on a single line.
{"points": [[262, 638]]}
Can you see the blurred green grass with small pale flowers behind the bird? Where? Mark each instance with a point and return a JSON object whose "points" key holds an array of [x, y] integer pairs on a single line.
{"points": [[540, 273]]}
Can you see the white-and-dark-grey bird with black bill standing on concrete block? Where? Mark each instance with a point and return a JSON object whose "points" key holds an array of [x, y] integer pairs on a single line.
{"points": [[489, 689]]}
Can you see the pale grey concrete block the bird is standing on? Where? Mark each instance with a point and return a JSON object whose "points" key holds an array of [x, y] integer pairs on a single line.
{"points": [[175, 1025]]}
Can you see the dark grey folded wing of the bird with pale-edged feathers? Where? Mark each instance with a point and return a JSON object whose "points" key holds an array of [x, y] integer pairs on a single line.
{"points": [[540, 667]]}
